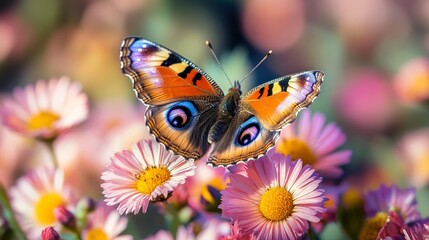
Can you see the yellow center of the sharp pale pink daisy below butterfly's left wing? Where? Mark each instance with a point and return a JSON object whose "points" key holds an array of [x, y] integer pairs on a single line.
{"points": [[151, 178]]}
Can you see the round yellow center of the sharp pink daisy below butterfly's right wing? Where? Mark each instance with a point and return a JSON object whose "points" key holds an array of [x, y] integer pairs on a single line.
{"points": [[276, 204]]}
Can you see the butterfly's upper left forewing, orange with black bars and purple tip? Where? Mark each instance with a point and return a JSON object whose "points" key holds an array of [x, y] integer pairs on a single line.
{"points": [[161, 76]]}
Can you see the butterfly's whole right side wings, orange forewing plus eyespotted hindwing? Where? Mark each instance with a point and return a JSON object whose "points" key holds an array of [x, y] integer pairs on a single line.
{"points": [[263, 112]]}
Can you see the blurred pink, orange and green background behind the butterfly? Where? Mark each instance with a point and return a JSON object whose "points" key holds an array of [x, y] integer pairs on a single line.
{"points": [[374, 55]]}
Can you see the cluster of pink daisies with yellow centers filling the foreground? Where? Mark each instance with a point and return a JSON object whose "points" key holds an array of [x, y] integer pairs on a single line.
{"points": [[289, 193]]}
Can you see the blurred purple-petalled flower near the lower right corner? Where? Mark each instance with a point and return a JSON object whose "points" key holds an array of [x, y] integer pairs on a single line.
{"points": [[385, 199]]}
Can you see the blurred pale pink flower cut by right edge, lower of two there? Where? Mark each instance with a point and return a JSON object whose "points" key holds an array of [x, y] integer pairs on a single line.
{"points": [[413, 148]]}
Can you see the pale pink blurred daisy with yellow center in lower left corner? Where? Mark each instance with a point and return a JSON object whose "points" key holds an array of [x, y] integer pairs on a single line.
{"points": [[35, 197]]}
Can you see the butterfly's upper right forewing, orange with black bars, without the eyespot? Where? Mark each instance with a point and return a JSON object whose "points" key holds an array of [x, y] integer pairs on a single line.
{"points": [[276, 103]]}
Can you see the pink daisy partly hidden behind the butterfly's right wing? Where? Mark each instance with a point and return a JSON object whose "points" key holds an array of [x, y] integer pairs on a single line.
{"points": [[307, 139]]}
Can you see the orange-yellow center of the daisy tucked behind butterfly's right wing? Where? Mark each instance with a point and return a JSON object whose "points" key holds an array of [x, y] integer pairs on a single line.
{"points": [[297, 149]]}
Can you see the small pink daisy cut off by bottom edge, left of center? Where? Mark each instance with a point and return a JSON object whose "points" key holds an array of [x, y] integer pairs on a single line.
{"points": [[105, 223]]}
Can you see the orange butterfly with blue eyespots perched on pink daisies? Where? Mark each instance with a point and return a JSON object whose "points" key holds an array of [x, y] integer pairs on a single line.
{"points": [[189, 113]]}
